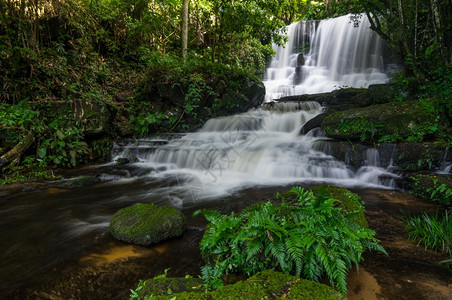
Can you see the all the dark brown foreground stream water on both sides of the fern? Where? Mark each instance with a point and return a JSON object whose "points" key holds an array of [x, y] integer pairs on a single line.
{"points": [[56, 245]]}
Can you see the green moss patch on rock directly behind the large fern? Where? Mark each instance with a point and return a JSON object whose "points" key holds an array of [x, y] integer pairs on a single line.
{"points": [[349, 201]]}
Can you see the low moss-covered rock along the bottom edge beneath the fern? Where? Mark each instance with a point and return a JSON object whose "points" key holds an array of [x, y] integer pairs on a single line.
{"points": [[267, 284]]}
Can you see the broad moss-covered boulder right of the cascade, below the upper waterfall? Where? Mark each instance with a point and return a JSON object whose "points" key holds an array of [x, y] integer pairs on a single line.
{"points": [[395, 121]]}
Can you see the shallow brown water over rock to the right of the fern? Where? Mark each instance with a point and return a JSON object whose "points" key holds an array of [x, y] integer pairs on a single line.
{"points": [[409, 271]]}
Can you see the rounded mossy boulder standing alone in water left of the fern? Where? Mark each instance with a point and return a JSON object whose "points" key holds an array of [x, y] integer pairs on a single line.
{"points": [[147, 224]]}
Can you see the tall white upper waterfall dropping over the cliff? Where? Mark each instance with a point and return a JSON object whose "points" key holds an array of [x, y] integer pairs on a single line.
{"points": [[339, 55]]}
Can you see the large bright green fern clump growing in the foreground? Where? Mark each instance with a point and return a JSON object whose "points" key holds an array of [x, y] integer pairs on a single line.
{"points": [[308, 238]]}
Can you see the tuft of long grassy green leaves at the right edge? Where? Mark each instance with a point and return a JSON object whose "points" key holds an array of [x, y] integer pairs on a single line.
{"points": [[433, 231]]}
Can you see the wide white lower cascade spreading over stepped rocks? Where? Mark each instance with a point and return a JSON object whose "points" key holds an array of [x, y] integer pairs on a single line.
{"points": [[260, 147]]}
